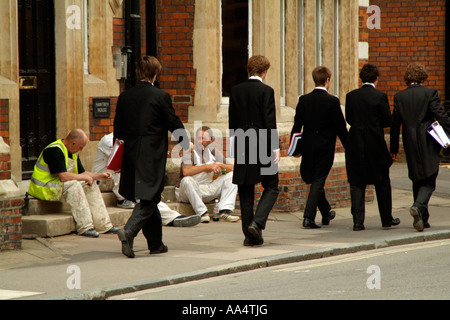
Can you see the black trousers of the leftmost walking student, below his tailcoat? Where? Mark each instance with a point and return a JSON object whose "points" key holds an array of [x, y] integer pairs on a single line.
{"points": [[146, 217]]}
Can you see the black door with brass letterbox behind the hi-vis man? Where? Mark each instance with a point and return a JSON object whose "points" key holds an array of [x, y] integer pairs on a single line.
{"points": [[36, 79]]}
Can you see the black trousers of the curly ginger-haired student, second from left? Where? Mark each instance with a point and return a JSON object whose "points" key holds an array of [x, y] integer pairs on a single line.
{"points": [[265, 205]]}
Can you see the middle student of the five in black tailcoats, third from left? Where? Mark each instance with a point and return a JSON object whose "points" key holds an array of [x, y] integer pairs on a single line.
{"points": [[320, 117]]}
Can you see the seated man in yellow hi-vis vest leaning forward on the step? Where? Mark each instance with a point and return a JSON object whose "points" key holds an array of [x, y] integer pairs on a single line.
{"points": [[59, 176]]}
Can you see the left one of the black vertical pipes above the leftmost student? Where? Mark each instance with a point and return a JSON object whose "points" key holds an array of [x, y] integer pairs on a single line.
{"points": [[132, 39]]}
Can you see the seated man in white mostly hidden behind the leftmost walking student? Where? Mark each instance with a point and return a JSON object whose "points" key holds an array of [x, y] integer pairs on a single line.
{"points": [[169, 217]]}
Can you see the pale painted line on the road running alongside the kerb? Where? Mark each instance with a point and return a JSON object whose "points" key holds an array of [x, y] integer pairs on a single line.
{"points": [[366, 256]]}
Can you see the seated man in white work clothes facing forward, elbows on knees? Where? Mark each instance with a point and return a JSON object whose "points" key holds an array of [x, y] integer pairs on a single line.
{"points": [[198, 185]]}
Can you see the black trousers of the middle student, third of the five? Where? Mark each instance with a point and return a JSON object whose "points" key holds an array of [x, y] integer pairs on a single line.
{"points": [[317, 199]]}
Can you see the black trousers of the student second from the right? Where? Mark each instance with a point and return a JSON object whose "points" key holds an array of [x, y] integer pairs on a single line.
{"points": [[383, 191]]}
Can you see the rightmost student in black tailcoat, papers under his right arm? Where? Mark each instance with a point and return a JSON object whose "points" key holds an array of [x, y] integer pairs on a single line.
{"points": [[415, 109]]}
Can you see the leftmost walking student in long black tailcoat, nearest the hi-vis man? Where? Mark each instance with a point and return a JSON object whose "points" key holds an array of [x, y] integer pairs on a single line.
{"points": [[144, 115]]}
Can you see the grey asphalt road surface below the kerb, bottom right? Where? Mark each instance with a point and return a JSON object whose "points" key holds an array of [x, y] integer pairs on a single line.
{"points": [[410, 272]]}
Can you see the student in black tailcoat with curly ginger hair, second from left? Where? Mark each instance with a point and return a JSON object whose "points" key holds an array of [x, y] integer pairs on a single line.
{"points": [[252, 122]]}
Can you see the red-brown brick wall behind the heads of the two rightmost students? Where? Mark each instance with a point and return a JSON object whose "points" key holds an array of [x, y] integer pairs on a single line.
{"points": [[411, 31]]}
